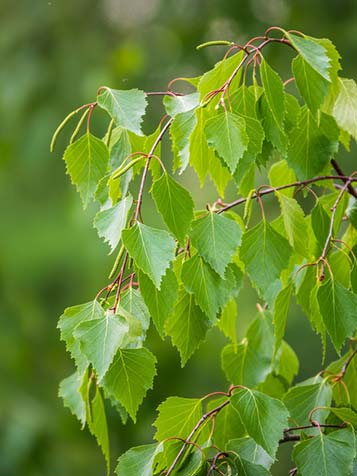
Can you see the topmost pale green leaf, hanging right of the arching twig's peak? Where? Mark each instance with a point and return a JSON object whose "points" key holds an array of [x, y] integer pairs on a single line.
{"points": [[314, 53]]}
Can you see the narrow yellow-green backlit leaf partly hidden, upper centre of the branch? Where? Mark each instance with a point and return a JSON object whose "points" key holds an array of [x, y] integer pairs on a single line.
{"points": [[199, 153]]}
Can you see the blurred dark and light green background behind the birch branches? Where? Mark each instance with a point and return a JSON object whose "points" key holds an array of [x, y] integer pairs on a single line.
{"points": [[54, 55]]}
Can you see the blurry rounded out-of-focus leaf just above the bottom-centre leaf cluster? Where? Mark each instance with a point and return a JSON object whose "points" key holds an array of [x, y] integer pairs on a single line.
{"points": [[249, 362]]}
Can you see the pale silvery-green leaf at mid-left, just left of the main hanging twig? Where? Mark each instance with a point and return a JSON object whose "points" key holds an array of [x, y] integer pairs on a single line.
{"points": [[111, 221]]}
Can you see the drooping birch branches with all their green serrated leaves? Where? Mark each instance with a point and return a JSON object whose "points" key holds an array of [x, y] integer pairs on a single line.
{"points": [[186, 276]]}
